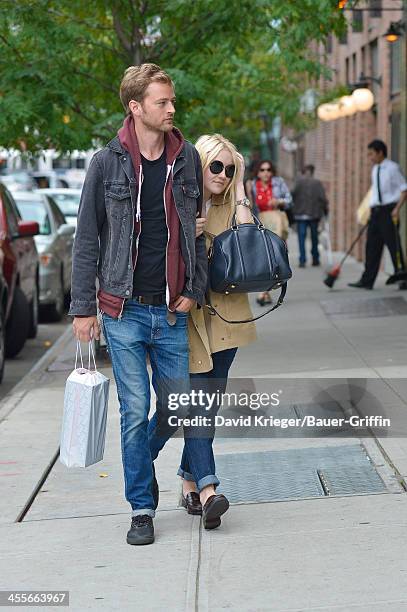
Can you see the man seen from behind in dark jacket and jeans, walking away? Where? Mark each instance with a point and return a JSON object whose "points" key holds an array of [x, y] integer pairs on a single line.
{"points": [[310, 205]]}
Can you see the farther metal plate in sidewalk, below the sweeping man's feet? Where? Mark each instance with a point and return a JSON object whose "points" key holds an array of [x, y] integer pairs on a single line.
{"points": [[353, 308]]}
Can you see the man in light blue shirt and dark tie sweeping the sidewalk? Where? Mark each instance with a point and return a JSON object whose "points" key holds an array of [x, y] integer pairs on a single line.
{"points": [[389, 192]]}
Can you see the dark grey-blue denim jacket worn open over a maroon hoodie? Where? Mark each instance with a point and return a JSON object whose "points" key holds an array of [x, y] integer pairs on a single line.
{"points": [[104, 237]]}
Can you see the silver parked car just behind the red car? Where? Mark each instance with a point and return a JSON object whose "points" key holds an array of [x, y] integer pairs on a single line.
{"points": [[54, 244]]}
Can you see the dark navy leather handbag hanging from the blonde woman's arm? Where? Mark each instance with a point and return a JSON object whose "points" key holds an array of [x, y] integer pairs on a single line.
{"points": [[248, 258]]}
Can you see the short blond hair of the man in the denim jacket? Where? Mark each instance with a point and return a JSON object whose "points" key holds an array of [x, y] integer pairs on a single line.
{"points": [[136, 79]]}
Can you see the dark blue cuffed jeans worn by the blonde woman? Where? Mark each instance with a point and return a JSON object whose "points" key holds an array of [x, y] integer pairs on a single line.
{"points": [[198, 462]]}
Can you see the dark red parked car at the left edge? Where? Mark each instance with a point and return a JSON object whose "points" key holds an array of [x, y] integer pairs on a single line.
{"points": [[21, 272]]}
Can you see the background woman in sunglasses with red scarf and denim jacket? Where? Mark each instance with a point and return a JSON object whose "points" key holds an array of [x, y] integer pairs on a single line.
{"points": [[270, 198]]}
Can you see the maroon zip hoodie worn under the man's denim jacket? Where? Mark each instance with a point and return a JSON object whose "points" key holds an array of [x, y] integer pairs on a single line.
{"points": [[175, 266]]}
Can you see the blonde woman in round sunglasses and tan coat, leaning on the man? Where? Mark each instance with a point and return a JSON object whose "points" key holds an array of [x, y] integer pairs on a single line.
{"points": [[214, 343]]}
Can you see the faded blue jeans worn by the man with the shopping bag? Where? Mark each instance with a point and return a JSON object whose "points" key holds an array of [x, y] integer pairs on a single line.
{"points": [[144, 330]]}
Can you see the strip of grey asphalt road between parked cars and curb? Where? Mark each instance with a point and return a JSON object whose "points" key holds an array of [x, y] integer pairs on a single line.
{"points": [[16, 368]]}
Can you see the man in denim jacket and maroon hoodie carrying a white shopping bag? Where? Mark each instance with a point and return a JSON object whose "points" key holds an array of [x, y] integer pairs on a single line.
{"points": [[136, 233]]}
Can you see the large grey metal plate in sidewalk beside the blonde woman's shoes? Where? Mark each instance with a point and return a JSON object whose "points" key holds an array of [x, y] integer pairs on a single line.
{"points": [[293, 474]]}
